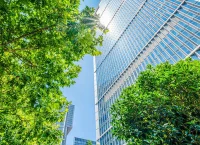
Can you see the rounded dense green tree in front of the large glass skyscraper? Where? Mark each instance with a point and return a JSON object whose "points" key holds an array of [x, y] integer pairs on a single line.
{"points": [[162, 107]]}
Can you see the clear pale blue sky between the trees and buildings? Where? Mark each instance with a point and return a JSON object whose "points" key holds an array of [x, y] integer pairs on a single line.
{"points": [[82, 96]]}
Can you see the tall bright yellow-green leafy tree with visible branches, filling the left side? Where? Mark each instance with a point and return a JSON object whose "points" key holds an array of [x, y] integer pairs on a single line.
{"points": [[40, 41]]}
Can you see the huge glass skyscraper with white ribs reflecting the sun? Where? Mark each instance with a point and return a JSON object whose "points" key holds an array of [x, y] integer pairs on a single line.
{"points": [[141, 32]]}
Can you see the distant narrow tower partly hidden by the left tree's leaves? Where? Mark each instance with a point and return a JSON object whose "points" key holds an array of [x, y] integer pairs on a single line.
{"points": [[67, 124]]}
